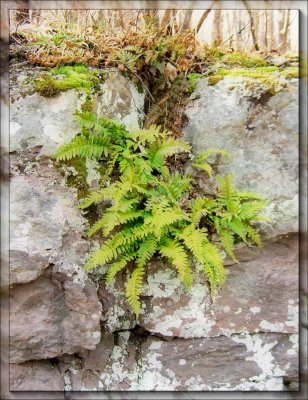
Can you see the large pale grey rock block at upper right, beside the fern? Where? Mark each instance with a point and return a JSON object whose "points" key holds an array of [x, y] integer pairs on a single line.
{"points": [[262, 137]]}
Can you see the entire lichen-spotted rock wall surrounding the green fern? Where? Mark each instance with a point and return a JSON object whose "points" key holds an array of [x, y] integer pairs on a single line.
{"points": [[69, 332]]}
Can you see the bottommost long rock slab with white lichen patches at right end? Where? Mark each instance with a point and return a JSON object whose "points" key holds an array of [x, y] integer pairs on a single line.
{"points": [[242, 362]]}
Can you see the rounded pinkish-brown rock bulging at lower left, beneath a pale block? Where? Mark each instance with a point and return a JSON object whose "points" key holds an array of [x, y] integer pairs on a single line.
{"points": [[47, 321]]}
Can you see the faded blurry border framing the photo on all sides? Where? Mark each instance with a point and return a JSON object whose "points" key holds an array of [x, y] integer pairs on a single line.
{"points": [[5, 393]]}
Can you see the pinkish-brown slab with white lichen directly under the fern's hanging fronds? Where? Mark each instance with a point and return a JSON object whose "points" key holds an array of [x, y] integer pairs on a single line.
{"points": [[260, 295]]}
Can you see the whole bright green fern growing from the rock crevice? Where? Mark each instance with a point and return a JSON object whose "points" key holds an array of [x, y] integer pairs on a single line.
{"points": [[152, 211]]}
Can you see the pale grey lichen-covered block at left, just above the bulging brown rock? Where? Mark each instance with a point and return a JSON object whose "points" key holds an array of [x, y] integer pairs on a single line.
{"points": [[43, 217]]}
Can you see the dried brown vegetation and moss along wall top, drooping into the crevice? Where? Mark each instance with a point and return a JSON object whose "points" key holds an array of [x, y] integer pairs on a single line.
{"points": [[164, 61]]}
